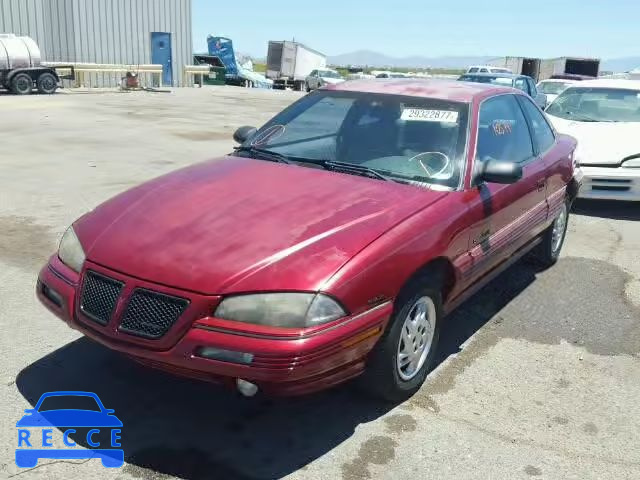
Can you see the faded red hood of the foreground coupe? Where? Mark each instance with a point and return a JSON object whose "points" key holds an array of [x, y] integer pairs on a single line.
{"points": [[238, 224]]}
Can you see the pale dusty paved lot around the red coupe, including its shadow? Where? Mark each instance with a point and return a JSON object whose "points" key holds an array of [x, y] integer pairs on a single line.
{"points": [[538, 375]]}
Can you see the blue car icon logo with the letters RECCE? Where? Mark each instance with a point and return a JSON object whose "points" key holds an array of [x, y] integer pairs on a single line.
{"points": [[36, 435]]}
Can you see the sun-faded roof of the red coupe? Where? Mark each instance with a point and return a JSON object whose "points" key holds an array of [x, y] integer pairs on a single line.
{"points": [[439, 89]]}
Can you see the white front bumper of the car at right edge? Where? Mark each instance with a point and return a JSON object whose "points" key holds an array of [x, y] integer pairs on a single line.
{"points": [[615, 183]]}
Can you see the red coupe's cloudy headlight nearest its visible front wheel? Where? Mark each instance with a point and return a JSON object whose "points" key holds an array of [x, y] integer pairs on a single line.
{"points": [[292, 310]]}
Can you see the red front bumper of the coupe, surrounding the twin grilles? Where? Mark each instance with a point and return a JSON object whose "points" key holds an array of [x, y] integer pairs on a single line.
{"points": [[283, 361]]}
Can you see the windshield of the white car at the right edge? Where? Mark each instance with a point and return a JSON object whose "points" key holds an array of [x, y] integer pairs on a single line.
{"points": [[597, 104]]}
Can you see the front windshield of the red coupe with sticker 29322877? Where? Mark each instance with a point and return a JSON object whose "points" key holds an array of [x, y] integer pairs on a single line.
{"points": [[406, 139]]}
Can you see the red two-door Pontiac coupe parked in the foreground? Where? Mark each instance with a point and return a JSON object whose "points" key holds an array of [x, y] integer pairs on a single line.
{"points": [[330, 244]]}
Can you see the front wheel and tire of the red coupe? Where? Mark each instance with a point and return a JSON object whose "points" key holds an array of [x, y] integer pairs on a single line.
{"points": [[400, 362]]}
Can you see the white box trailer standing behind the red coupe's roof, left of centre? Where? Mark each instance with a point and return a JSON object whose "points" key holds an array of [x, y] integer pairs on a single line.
{"points": [[289, 64]]}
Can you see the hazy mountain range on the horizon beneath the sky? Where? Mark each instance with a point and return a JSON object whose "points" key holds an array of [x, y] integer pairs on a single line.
{"points": [[375, 59]]}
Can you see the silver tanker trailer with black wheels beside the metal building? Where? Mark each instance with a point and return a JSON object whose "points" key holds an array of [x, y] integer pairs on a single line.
{"points": [[21, 69]]}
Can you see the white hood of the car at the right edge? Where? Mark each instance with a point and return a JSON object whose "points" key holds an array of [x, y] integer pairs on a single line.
{"points": [[601, 143]]}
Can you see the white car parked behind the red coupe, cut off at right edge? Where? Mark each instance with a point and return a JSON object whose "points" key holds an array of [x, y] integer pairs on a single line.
{"points": [[604, 116]]}
